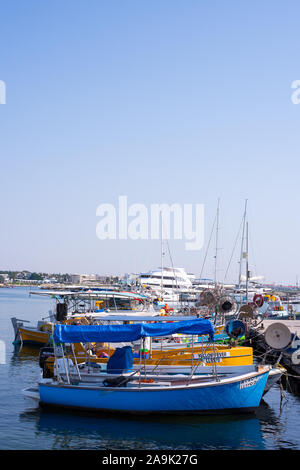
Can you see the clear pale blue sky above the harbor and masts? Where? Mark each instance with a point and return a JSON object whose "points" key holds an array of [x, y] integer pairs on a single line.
{"points": [[162, 101]]}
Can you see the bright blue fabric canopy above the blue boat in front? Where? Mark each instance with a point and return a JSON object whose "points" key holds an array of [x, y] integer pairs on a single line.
{"points": [[128, 333]]}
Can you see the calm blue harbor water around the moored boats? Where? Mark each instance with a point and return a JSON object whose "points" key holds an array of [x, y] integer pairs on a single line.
{"points": [[23, 425]]}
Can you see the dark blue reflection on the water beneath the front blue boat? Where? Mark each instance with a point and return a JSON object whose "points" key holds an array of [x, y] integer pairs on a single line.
{"points": [[86, 431]]}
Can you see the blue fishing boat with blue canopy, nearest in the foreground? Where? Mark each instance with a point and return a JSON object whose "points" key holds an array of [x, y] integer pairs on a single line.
{"points": [[137, 394]]}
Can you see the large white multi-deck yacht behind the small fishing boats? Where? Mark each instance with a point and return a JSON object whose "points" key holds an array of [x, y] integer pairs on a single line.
{"points": [[168, 283]]}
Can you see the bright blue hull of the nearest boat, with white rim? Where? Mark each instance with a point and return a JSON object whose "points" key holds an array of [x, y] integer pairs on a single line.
{"points": [[238, 394]]}
